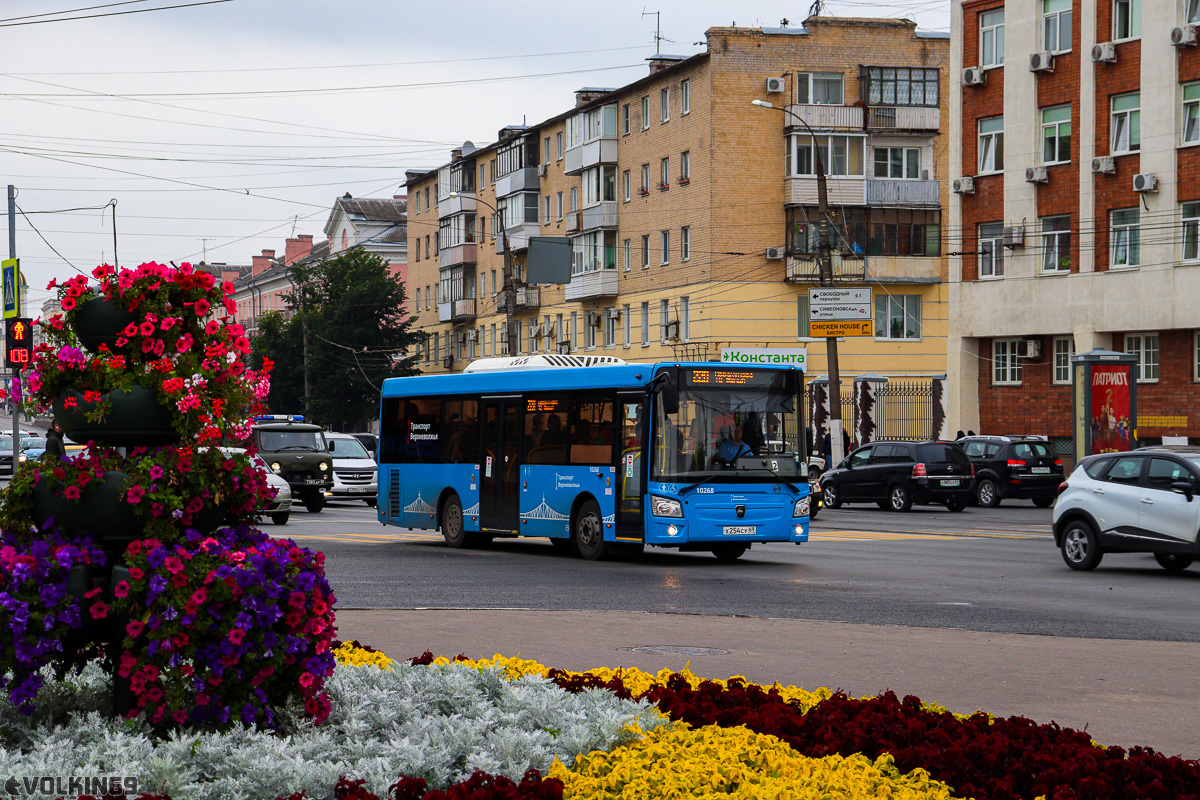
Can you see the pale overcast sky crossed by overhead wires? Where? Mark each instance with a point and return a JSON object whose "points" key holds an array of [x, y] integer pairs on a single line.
{"points": [[225, 128]]}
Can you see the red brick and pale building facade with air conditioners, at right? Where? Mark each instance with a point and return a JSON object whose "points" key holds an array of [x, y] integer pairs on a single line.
{"points": [[1085, 233]]}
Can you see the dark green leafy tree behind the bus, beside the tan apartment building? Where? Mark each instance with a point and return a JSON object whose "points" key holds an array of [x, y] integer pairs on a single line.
{"points": [[358, 335]]}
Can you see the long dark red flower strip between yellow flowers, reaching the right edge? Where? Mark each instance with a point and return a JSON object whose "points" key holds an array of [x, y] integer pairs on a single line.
{"points": [[980, 757]]}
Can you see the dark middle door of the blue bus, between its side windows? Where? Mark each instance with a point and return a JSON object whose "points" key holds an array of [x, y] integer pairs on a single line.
{"points": [[499, 484]]}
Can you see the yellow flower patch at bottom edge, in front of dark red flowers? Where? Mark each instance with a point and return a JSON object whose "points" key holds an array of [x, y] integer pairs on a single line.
{"points": [[713, 762]]}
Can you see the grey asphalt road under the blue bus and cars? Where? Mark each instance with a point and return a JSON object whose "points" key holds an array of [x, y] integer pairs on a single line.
{"points": [[981, 570]]}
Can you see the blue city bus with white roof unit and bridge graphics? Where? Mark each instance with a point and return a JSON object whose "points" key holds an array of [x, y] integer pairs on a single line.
{"points": [[598, 455]]}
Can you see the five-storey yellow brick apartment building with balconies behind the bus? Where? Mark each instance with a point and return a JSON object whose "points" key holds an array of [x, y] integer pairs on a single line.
{"points": [[692, 214]]}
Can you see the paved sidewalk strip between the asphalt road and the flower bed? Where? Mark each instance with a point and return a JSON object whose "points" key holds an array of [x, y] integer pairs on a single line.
{"points": [[1121, 693]]}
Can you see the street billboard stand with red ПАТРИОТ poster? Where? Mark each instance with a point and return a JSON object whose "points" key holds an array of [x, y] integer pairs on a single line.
{"points": [[1105, 402]]}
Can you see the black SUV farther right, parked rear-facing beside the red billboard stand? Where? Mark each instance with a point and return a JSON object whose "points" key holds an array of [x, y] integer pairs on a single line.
{"points": [[1013, 467]]}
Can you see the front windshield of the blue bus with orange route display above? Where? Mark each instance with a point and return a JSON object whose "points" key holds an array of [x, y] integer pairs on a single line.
{"points": [[725, 414]]}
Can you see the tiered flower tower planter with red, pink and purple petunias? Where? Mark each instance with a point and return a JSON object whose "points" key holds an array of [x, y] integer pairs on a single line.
{"points": [[146, 543]]}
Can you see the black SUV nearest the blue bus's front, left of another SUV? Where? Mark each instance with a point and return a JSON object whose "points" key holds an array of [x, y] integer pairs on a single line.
{"points": [[897, 474]]}
